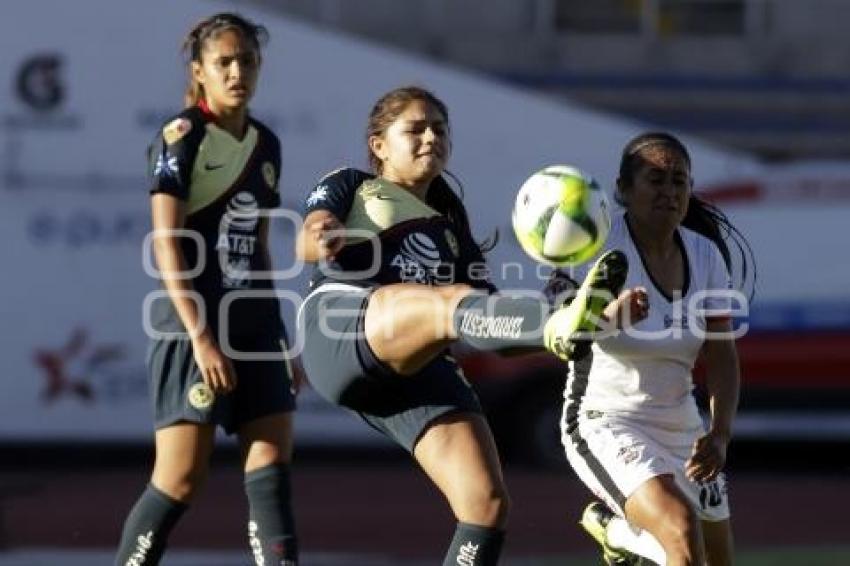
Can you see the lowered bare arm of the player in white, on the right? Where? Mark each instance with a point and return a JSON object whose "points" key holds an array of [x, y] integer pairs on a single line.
{"points": [[723, 383]]}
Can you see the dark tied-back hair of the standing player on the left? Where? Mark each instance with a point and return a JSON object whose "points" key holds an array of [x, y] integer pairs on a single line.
{"points": [[209, 28]]}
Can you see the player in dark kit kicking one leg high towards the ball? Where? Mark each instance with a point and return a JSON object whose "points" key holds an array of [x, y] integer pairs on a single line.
{"points": [[400, 279]]}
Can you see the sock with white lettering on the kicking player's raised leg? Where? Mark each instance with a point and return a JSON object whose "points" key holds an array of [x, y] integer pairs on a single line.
{"points": [[501, 321]]}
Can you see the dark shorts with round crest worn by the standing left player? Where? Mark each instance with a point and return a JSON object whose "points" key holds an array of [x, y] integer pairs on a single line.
{"points": [[179, 394]]}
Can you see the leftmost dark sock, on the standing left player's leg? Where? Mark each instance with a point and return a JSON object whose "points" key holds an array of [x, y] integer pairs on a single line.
{"points": [[147, 528]]}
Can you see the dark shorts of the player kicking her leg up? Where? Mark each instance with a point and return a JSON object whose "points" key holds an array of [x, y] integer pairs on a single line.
{"points": [[342, 368]]}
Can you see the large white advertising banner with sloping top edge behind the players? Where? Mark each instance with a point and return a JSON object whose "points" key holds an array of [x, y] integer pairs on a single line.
{"points": [[84, 89]]}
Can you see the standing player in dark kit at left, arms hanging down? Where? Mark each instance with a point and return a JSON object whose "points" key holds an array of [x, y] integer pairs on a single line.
{"points": [[217, 350]]}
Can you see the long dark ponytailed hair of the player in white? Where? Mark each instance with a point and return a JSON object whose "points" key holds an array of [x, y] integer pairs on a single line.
{"points": [[702, 217]]}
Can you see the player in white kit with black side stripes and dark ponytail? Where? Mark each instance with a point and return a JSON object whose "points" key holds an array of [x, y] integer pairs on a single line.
{"points": [[631, 427]]}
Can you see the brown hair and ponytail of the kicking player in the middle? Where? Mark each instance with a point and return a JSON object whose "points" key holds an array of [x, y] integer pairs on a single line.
{"points": [[440, 195]]}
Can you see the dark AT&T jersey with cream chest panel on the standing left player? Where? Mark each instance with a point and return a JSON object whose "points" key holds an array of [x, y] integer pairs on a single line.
{"points": [[225, 183]]}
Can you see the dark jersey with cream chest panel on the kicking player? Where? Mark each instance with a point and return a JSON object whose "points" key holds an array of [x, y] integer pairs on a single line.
{"points": [[392, 236]]}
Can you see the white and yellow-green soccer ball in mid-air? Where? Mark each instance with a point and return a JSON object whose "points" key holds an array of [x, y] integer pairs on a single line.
{"points": [[561, 216]]}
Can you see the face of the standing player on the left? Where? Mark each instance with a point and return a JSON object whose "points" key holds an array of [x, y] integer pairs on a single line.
{"points": [[228, 71]]}
